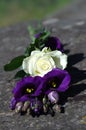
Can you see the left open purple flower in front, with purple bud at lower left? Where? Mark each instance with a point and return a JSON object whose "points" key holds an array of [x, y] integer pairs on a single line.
{"points": [[25, 90]]}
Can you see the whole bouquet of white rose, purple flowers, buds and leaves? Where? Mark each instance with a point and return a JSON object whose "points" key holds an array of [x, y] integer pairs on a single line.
{"points": [[42, 75]]}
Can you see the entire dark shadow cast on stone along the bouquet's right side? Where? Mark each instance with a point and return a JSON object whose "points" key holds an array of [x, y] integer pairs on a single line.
{"points": [[77, 76]]}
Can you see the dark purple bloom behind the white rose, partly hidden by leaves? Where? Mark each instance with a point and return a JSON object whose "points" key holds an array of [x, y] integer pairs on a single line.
{"points": [[52, 42]]}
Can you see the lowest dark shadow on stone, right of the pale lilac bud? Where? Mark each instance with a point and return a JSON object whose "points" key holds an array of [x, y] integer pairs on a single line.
{"points": [[72, 92]]}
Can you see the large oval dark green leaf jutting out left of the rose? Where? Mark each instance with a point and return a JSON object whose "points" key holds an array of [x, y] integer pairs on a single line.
{"points": [[14, 64]]}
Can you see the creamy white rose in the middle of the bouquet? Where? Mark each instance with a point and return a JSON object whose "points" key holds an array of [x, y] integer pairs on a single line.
{"points": [[41, 62]]}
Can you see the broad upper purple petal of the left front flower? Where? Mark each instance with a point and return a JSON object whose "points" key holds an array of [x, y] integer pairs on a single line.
{"points": [[18, 91]]}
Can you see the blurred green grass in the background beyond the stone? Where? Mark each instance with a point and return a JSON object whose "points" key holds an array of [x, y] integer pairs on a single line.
{"points": [[15, 11]]}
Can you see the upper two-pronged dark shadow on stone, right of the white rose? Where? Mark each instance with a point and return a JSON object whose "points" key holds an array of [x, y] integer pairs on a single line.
{"points": [[76, 74]]}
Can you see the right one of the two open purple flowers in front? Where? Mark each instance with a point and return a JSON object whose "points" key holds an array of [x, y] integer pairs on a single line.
{"points": [[56, 80]]}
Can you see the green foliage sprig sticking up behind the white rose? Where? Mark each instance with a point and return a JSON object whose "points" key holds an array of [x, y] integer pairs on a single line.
{"points": [[38, 42]]}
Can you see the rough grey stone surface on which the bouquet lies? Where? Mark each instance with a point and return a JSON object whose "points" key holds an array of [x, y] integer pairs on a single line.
{"points": [[70, 26]]}
